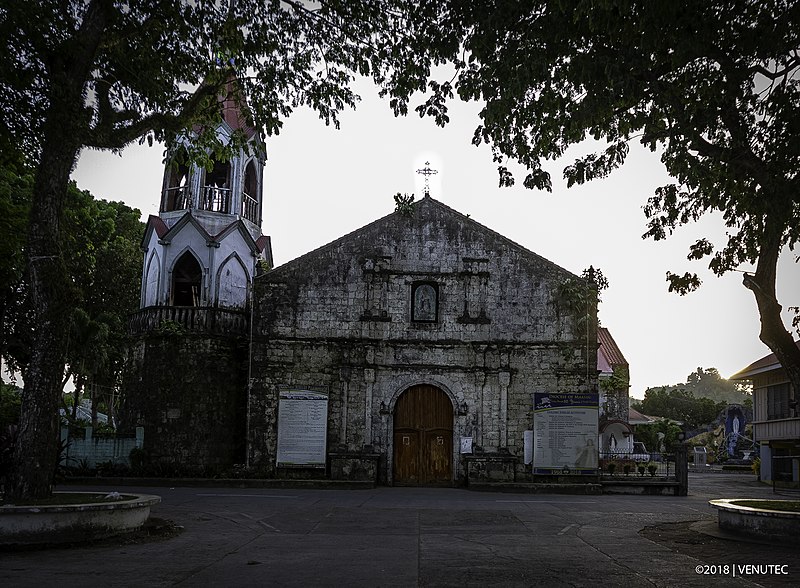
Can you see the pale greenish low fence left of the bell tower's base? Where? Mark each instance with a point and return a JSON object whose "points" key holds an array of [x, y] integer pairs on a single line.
{"points": [[91, 451]]}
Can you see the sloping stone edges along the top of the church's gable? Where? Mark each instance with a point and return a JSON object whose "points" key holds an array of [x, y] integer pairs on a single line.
{"points": [[419, 208]]}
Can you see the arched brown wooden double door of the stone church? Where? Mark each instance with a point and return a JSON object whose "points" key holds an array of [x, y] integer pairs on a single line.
{"points": [[423, 438]]}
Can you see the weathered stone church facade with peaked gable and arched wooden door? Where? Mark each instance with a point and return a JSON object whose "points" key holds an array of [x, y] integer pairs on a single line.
{"points": [[426, 334]]}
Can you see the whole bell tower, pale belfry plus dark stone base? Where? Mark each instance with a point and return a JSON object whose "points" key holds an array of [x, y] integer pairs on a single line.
{"points": [[185, 369]]}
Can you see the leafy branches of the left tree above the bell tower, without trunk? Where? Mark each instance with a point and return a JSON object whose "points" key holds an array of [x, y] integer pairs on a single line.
{"points": [[150, 68]]}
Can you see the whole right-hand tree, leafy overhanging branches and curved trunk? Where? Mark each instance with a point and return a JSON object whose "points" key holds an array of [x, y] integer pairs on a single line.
{"points": [[713, 87]]}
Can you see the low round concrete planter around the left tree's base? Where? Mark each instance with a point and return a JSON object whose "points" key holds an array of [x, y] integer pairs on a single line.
{"points": [[31, 525]]}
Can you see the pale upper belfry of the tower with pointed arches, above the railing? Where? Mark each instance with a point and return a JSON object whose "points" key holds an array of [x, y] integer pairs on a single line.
{"points": [[203, 248]]}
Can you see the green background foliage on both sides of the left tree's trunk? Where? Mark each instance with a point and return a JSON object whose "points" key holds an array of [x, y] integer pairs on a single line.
{"points": [[101, 243]]}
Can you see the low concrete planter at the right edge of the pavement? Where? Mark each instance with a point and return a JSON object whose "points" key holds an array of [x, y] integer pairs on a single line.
{"points": [[759, 523]]}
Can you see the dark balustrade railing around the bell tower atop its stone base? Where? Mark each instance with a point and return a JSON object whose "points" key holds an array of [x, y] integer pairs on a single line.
{"points": [[191, 319]]}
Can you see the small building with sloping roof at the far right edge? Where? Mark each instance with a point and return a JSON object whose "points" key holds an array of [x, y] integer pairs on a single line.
{"points": [[776, 422]]}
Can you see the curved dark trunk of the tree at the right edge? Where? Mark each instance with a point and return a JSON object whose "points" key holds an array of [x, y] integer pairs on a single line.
{"points": [[773, 331]]}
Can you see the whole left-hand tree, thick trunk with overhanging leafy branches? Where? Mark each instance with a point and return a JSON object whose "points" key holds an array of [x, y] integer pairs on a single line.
{"points": [[101, 74]]}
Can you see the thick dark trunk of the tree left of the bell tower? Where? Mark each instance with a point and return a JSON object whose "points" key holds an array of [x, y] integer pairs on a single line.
{"points": [[66, 121]]}
